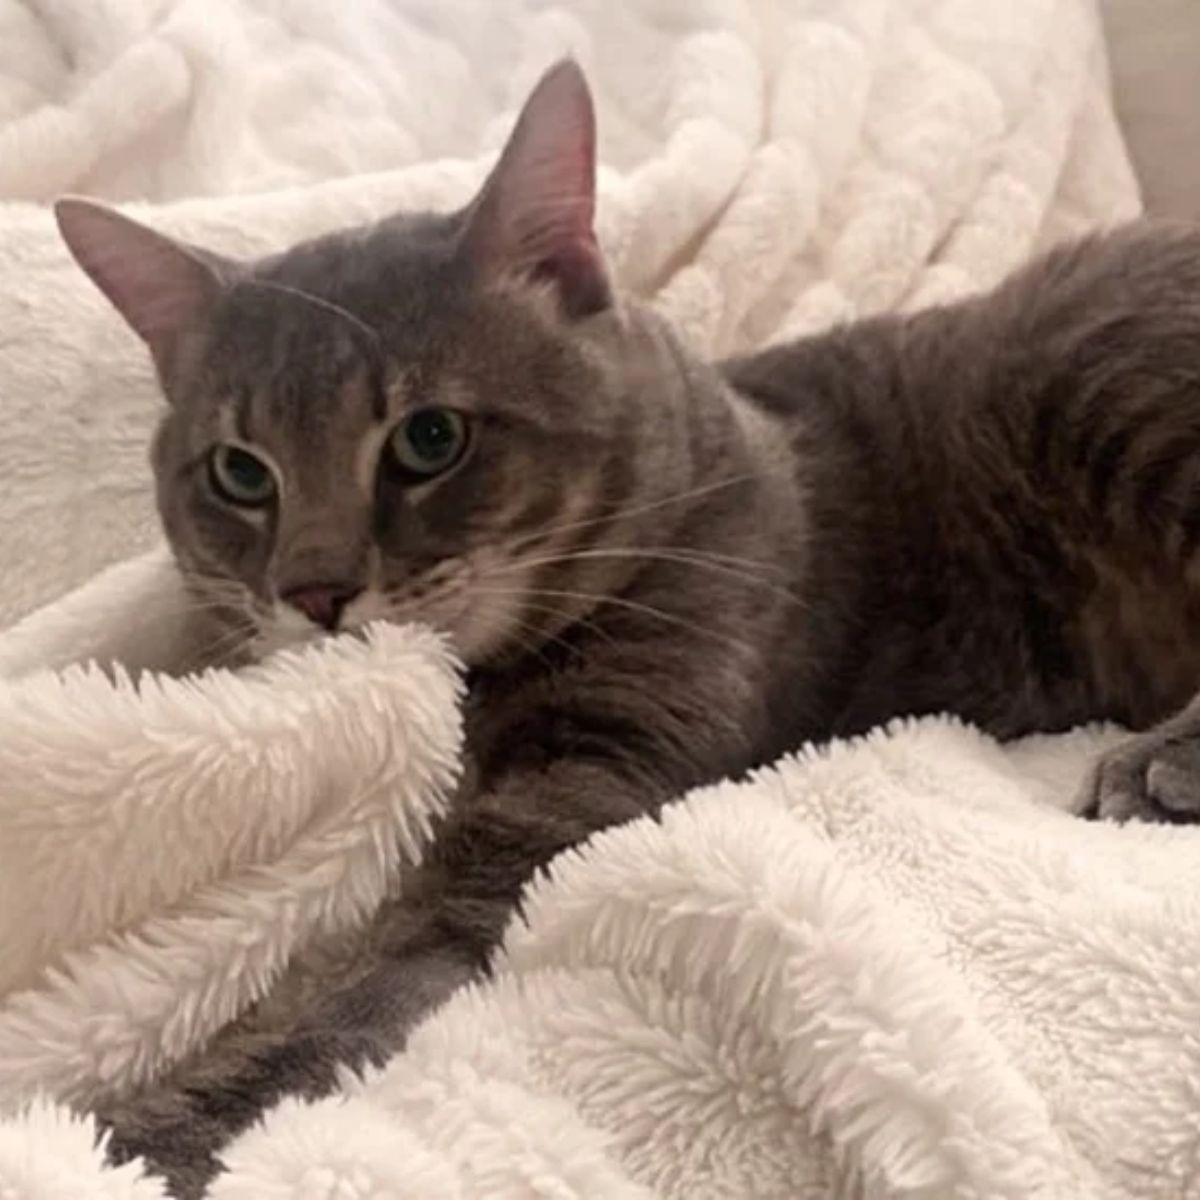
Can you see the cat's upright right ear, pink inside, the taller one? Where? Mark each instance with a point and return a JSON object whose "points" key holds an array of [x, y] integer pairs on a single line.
{"points": [[535, 215]]}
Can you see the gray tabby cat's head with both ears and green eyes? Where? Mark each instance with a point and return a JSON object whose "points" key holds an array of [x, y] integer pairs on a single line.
{"points": [[443, 418]]}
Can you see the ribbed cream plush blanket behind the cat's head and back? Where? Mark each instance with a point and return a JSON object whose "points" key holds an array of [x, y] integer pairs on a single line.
{"points": [[769, 169]]}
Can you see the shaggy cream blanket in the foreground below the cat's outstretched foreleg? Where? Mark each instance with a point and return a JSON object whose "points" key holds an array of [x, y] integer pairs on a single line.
{"points": [[890, 965]]}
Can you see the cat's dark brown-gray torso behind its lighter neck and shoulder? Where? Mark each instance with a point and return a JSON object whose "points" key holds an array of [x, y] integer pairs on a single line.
{"points": [[1006, 493]]}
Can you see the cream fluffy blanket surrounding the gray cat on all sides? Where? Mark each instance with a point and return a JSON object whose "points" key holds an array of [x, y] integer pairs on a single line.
{"points": [[881, 970]]}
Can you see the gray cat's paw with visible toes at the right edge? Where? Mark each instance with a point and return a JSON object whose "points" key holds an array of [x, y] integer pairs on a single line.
{"points": [[1154, 777]]}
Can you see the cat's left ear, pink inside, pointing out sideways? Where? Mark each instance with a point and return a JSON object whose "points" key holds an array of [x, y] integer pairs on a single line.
{"points": [[163, 289]]}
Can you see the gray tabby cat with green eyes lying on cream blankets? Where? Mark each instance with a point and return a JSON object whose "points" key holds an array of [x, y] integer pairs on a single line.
{"points": [[659, 572]]}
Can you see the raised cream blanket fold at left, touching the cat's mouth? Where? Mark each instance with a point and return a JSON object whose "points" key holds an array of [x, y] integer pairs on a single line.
{"points": [[167, 845]]}
